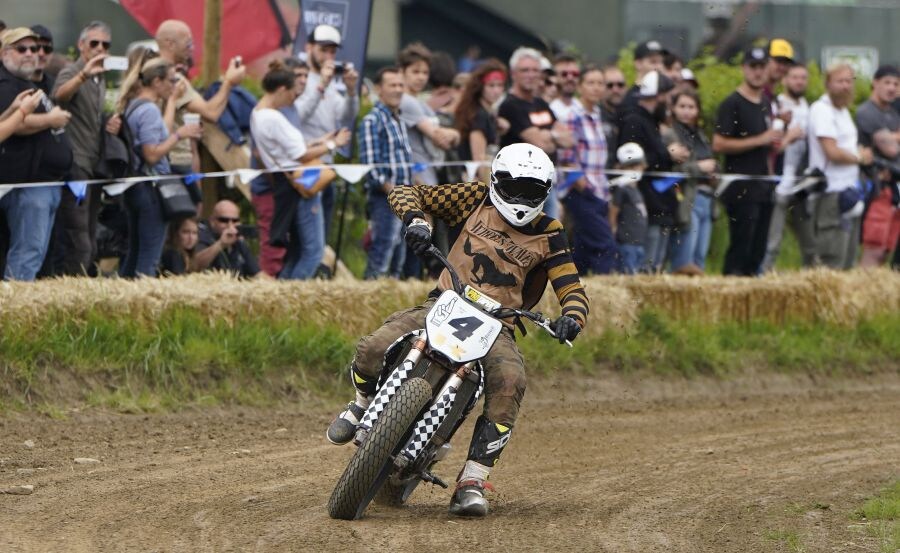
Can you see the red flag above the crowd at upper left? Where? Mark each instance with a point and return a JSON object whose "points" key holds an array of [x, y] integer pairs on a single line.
{"points": [[250, 28]]}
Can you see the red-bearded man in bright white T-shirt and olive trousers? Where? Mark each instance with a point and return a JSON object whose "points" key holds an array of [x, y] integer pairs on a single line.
{"points": [[834, 149]]}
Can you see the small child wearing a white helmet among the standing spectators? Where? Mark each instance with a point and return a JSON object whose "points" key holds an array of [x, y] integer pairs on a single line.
{"points": [[627, 212]]}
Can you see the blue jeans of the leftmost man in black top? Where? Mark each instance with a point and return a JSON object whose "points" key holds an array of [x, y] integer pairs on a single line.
{"points": [[29, 213]]}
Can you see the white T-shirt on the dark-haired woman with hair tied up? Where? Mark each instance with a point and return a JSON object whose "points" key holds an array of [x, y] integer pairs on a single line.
{"points": [[280, 144]]}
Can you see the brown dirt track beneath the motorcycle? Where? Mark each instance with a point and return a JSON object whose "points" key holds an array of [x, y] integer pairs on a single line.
{"points": [[599, 464]]}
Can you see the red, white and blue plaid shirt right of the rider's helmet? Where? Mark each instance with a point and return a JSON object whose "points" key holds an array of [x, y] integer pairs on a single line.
{"points": [[589, 152]]}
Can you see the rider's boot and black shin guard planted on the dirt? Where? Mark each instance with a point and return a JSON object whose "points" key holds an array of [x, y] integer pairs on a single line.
{"points": [[488, 441]]}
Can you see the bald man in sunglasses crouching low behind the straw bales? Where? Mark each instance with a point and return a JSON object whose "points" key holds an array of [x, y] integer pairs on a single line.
{"points": [[220, 246]]}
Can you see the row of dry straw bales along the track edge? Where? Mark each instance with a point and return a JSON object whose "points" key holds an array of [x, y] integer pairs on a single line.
{"points": [[357, 307]]}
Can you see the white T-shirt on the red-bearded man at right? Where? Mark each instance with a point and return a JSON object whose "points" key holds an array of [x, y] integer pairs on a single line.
{"points": [[826, 121]]}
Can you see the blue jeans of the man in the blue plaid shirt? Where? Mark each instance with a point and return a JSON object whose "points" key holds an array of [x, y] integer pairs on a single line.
{"points": [[388, 250]]}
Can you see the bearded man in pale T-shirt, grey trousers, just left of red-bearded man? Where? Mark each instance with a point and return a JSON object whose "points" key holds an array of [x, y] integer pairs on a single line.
{"points": [[792, 101]]}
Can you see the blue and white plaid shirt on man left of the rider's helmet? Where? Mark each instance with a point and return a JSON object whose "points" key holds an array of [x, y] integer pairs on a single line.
{"points": [[383, 140]]}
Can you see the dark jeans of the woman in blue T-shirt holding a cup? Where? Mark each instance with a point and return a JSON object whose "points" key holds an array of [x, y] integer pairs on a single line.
{"points": [[146, 231]]}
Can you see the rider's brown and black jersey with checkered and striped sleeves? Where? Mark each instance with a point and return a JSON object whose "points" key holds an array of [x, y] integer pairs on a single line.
{"points": [[510, 264]]}
